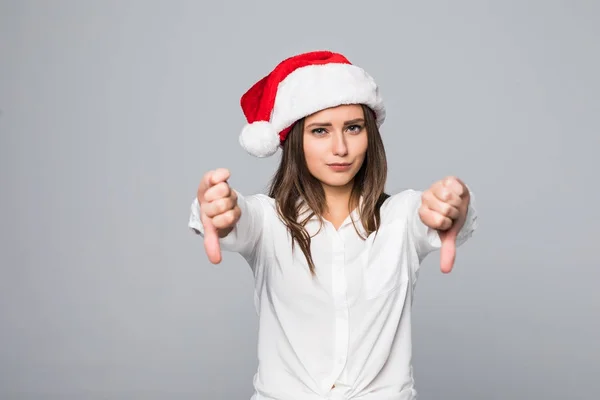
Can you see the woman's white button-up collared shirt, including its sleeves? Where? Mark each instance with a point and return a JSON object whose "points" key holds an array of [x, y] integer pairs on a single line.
{"points": [[350, 326]]}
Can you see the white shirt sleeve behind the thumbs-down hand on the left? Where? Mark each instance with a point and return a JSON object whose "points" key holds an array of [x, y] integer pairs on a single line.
{"points": [[245, 236]]}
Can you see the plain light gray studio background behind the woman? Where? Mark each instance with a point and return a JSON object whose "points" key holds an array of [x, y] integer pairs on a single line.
{"points": [[111, 111]]}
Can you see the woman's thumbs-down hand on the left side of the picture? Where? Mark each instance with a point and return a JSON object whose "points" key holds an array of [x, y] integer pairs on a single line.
{"points": [[219, 210]]}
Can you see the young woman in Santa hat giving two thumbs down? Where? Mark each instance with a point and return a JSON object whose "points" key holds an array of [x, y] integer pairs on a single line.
{"points": [[334, 258]]}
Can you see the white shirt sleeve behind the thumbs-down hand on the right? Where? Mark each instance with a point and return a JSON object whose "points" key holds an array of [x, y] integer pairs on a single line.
{"points": [[427, 239]]}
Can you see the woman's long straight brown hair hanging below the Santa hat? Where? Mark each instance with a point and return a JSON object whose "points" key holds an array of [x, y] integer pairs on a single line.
{"points": [[293, 181]]}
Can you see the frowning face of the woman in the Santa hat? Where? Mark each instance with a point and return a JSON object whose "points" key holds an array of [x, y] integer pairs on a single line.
{"points": [[335, 145]]}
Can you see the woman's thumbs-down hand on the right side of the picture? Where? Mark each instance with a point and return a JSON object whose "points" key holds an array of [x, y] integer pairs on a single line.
{"points": [[444, 208]]}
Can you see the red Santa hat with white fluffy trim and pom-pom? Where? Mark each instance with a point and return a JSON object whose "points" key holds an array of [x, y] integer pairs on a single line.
{"points": [[300, 86]]}
